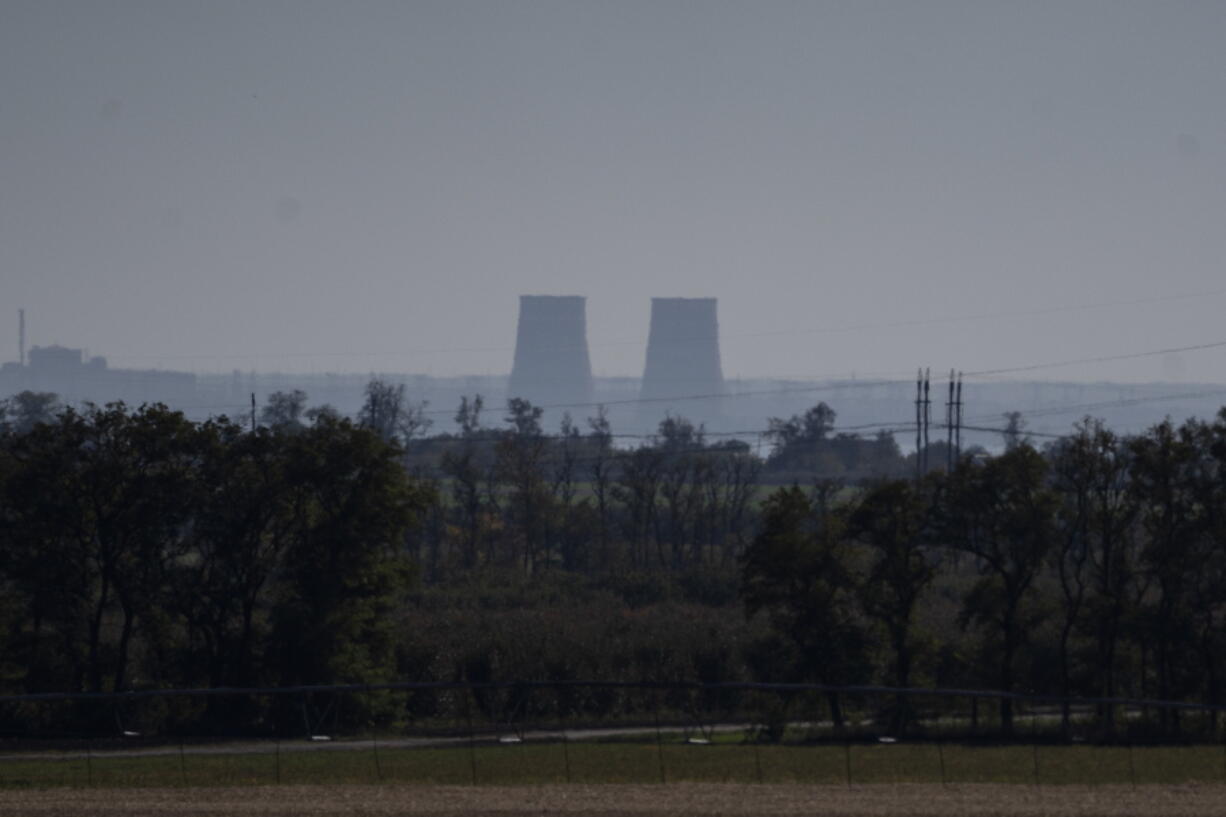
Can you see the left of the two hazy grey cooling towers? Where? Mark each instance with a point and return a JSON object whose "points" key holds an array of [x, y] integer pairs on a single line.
{"points": [[551, 351]]}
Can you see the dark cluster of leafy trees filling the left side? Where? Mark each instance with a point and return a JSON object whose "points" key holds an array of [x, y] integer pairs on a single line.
{"points": [[143, 549]]}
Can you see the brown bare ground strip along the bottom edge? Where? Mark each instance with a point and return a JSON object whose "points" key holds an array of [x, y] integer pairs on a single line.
{"points": [[625, 800]]}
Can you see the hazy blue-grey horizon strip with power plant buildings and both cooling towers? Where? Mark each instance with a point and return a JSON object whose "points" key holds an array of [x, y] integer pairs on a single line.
{"points": [[552, 369]]}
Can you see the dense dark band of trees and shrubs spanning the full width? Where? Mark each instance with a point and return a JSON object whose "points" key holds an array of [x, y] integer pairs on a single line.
{"points": [[144, 550]]}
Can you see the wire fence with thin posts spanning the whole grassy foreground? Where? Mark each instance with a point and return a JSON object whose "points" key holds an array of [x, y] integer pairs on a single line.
{"points": [[601, 732]]}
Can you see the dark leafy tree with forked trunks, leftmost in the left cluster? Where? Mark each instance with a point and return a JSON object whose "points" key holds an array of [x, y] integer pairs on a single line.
{"points": [[106, 495]]}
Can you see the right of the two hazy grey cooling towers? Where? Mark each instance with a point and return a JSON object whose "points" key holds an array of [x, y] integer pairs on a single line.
{"points": [[683, 351]]}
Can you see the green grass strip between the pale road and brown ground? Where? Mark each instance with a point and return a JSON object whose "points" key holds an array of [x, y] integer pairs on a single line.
{"points": [[541, 762]]}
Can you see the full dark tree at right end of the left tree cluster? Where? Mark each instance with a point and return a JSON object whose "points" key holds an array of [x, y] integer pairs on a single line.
{"points": [[345, 566]]}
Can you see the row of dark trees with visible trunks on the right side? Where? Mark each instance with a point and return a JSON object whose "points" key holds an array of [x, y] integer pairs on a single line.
{"points": [[1094, 567]]}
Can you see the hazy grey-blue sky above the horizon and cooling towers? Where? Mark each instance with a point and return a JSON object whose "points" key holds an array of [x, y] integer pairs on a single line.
{"points": [[371, 186]]}
